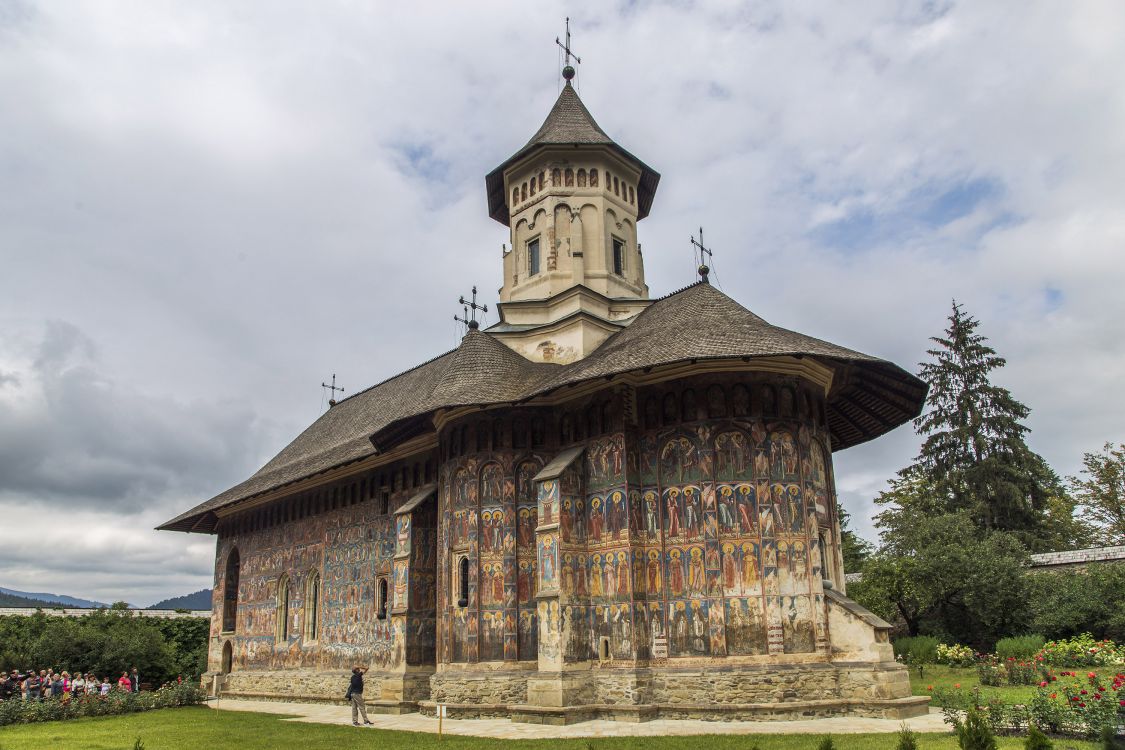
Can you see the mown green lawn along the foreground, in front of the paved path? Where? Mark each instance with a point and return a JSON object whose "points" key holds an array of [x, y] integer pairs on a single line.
{"points": [[174, 729]]}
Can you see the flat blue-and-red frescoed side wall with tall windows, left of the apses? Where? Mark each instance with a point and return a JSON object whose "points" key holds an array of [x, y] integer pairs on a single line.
{"points": [[345, 537]]}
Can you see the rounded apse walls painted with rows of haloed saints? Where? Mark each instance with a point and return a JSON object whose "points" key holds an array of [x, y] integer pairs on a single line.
{"points": [[703, 531]]}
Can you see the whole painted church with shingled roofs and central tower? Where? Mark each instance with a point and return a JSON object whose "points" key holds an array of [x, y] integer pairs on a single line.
{"points": [[604, 507]]}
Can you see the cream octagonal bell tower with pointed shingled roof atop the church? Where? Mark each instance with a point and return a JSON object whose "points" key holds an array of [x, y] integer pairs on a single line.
{"points": [[574, 273]]}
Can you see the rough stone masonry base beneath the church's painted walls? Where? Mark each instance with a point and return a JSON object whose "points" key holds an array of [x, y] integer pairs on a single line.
{"points": [[718, 693]]}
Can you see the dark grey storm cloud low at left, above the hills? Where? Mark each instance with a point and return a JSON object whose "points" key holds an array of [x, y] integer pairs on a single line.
{"points": [[75, 438]]}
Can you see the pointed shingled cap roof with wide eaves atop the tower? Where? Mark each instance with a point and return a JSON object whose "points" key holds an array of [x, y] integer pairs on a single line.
{"points": [[569, 124]]}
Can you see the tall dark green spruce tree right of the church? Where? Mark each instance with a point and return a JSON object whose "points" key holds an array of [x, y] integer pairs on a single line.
{"points": [[975, 456]]}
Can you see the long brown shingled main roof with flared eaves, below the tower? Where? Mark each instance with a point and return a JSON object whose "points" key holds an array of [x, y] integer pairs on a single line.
{"points": [[869, 396]]}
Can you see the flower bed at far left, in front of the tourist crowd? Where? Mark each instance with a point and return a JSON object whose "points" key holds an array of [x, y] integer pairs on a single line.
{"points": [[26, 712]]}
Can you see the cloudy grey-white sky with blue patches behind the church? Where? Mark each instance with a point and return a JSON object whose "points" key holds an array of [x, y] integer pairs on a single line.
{"points": [[209, 209]]}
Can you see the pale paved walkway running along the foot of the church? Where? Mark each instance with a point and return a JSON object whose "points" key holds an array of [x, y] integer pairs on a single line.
{"points": [[506, 730]]}
